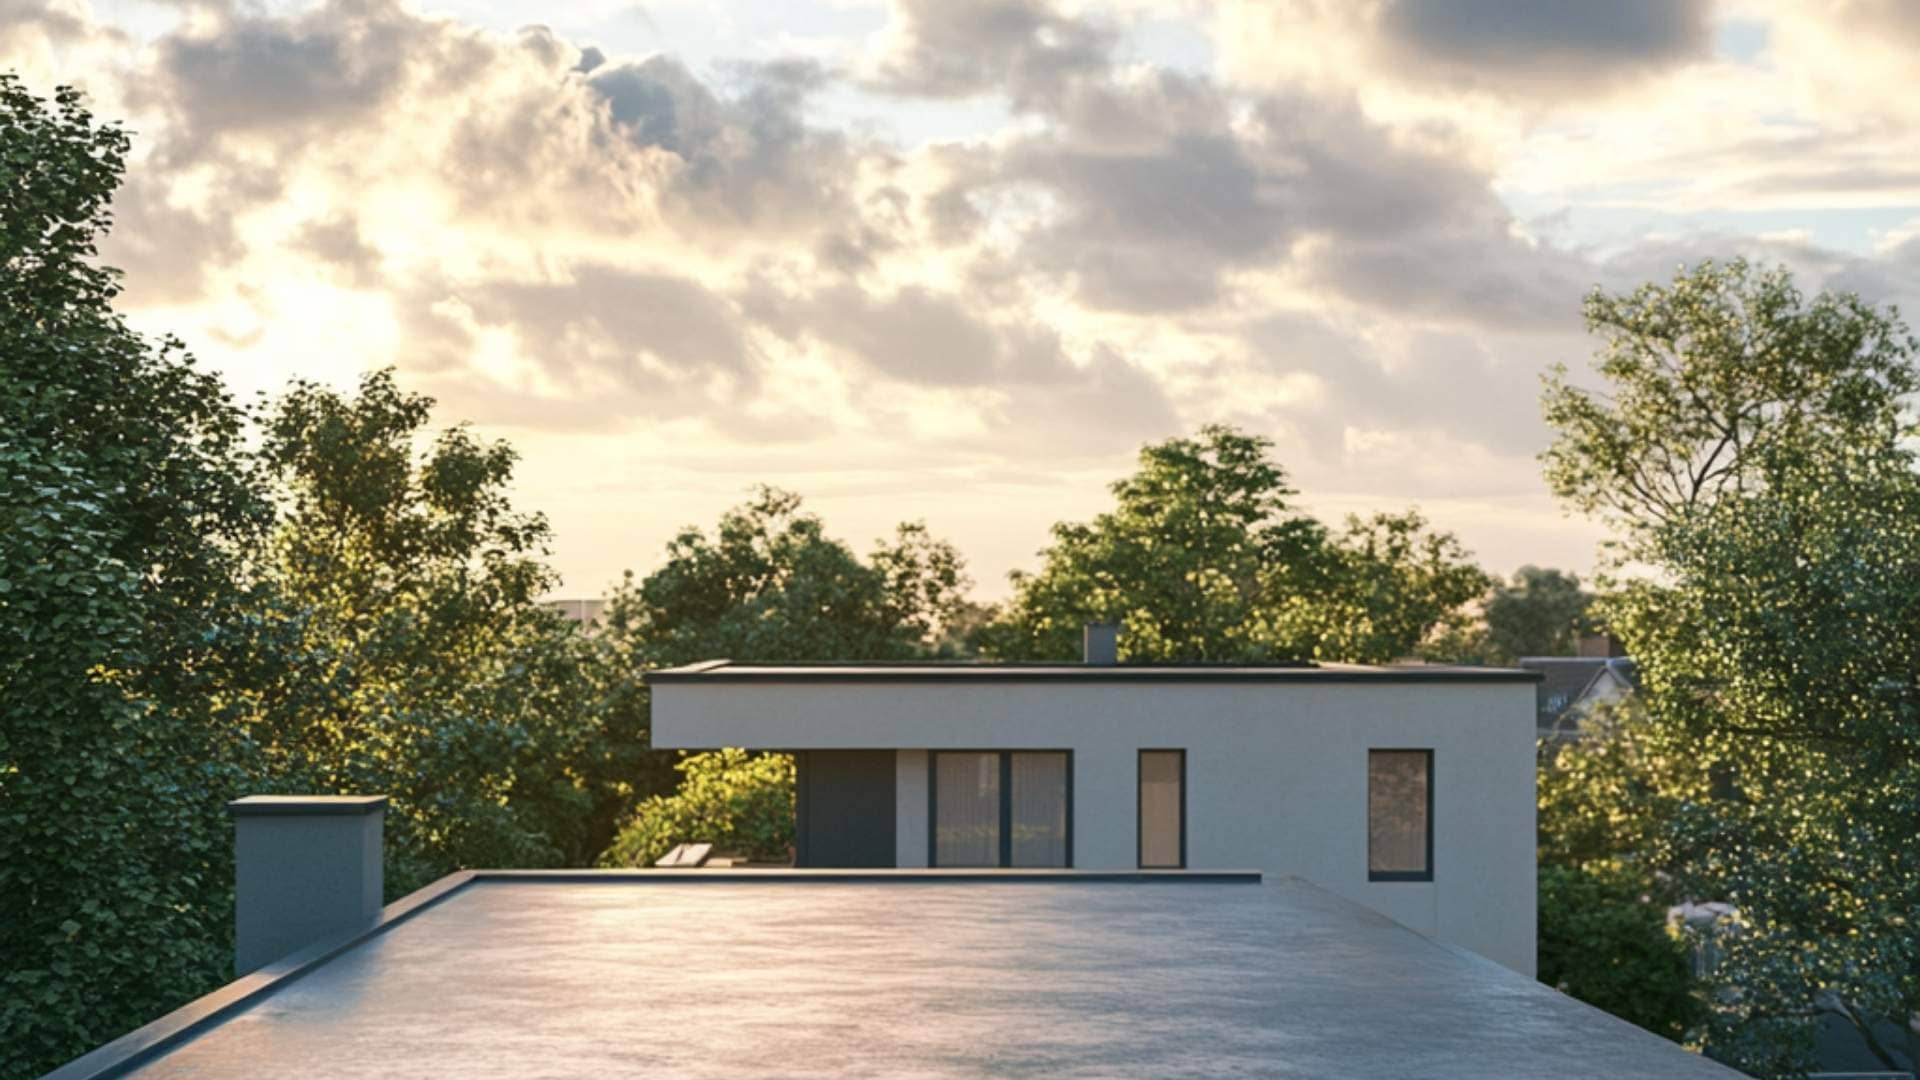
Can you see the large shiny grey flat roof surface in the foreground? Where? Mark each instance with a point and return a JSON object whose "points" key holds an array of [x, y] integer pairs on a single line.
{"points": [[734, 975]]}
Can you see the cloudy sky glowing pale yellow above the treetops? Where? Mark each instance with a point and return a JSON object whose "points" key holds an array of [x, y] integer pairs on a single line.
{"points": [[961, 260]]}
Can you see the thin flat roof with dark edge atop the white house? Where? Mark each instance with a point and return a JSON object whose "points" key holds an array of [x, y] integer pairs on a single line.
{"points": [[961, 672]]}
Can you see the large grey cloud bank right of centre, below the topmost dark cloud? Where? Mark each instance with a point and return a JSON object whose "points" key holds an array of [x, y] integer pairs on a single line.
{"points": [[1157, 197]]}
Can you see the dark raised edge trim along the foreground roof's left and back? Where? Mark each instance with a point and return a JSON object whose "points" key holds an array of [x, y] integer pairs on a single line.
{"points": [[145, 1044]]}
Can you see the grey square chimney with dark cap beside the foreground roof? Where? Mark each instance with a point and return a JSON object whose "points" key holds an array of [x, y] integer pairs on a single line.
{"points": [[306, 868]]}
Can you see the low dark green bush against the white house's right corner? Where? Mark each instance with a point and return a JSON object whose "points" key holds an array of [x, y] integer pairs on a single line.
{"points": [[1606, 943]]}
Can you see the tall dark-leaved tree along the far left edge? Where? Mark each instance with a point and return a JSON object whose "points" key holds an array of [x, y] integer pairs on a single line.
{"points": [[126, 508]]}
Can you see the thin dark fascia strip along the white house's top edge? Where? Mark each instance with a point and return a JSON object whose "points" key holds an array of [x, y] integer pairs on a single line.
{"points": [[1118, 674]]}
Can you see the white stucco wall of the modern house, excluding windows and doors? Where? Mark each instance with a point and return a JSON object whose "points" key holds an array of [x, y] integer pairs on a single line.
{"points": [[1276, 773]]}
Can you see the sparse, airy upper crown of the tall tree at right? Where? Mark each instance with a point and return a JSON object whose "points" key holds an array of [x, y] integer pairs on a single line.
{"points": [[1708, 380]]}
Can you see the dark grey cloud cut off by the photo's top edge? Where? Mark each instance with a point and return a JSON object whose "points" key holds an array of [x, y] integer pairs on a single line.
{"points": [[1566, 47]]}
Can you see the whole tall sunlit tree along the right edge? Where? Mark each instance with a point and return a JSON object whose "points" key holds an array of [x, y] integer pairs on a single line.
{"points": [[1754, 449]]}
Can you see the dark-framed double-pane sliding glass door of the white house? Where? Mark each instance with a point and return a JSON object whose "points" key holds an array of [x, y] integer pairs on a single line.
{"points": [[1001, 808]]}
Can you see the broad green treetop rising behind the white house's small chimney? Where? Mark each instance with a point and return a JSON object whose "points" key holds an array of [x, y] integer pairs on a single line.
{"points": [[1203, 558]]}
